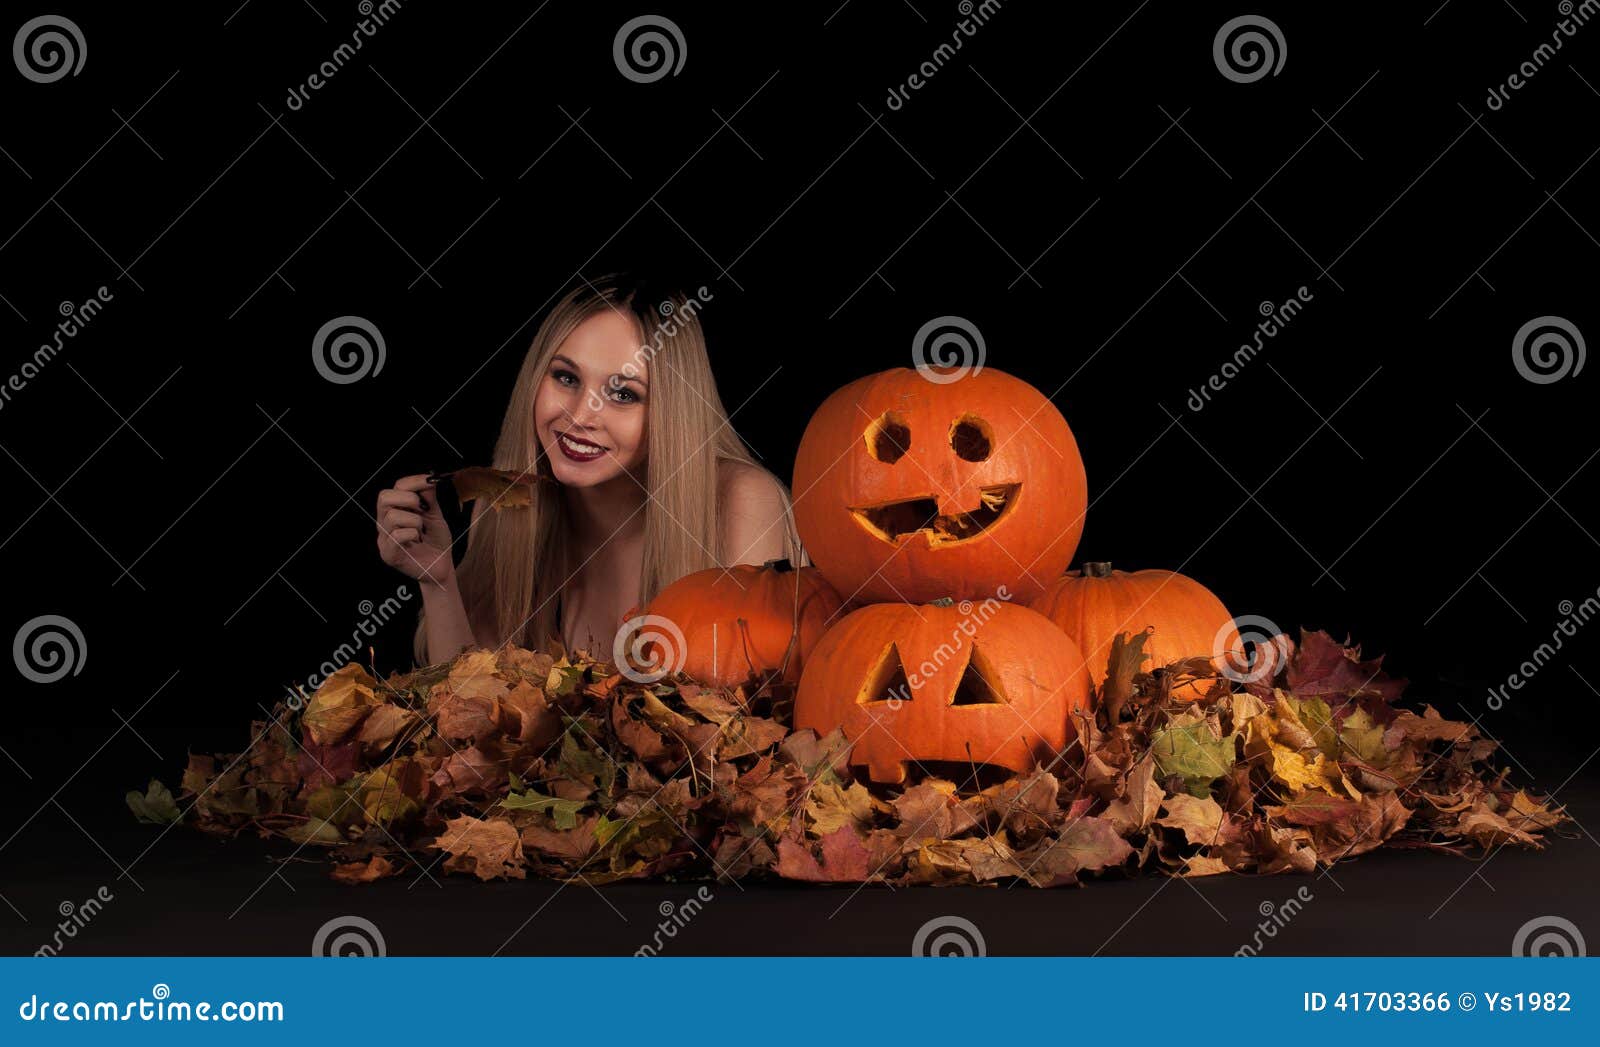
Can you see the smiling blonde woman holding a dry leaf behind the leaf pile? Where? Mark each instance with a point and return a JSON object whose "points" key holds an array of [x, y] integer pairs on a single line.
{"points": [[644, 481]]}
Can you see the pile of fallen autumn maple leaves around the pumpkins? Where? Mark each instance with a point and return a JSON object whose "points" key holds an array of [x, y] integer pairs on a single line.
{"points": [[510, 763]]}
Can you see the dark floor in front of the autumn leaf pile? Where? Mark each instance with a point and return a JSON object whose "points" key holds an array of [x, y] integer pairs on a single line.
{"points": [[202, 896]]}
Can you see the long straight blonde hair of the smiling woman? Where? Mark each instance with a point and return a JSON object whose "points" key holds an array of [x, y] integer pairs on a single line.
{"points": [[519, 560]]}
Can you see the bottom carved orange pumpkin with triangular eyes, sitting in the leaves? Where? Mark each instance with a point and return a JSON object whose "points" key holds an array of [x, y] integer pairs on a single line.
{"points": [[990, 683]]}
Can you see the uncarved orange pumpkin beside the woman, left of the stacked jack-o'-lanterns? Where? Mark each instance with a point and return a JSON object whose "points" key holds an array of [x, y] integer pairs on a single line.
{"points": [[740, 622]]}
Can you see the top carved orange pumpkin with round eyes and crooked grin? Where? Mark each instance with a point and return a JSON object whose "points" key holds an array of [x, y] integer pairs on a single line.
{"points": [[911, 489]]}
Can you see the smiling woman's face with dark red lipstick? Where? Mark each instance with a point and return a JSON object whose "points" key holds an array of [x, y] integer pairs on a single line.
{"points": [[590, 411]]}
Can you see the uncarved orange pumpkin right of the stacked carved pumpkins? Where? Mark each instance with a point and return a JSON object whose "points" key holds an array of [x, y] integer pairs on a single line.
{"points": [[1098, 603]]}
